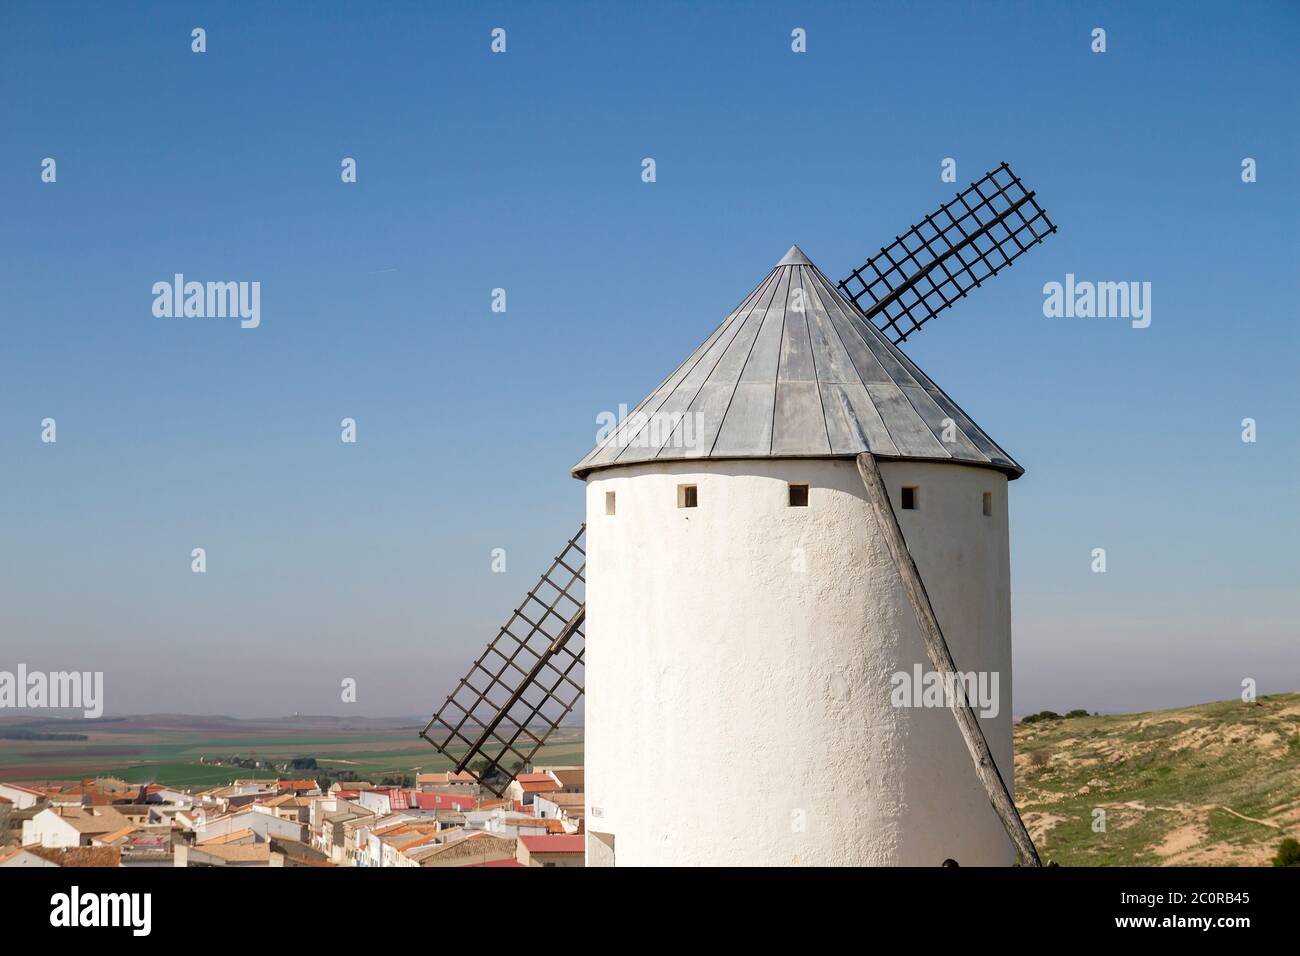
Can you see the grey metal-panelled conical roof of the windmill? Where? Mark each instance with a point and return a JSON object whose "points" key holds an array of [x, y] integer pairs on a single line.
{"points": [[798, 373]]}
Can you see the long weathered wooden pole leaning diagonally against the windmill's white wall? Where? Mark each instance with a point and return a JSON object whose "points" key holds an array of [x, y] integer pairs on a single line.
{"points": [[942, 660]]}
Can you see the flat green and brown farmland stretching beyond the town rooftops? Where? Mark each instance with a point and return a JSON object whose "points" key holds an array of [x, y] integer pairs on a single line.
{"points": [[167, 749]]}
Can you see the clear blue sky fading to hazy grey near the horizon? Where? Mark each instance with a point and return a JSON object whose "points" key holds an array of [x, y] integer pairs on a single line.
{"points": [[523, 171]]}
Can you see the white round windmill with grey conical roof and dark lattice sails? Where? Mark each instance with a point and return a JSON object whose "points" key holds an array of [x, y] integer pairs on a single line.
{"points": [[747, 607]]}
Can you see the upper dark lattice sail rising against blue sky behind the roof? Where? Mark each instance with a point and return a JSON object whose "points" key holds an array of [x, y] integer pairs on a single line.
{"points": [[973, 237]]}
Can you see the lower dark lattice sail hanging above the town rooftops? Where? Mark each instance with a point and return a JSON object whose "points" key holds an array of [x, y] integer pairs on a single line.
{"points": [[527, 681]]}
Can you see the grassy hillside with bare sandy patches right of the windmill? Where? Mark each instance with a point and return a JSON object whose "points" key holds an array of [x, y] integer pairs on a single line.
{"points": [[1203, 786]]}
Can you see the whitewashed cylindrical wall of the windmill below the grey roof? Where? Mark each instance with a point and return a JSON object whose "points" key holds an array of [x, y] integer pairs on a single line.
{"points": [[739, 661]]}
